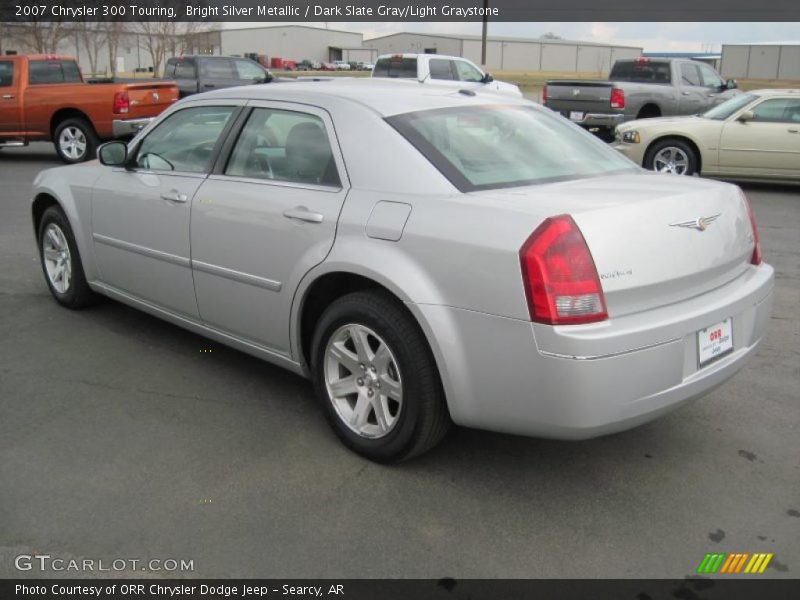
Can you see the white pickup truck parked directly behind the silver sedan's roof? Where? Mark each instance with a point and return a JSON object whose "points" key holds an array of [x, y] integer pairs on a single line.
{"points": [[440, 69]]}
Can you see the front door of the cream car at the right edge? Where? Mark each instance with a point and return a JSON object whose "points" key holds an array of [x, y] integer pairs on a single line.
{"points": [[768, 145]]}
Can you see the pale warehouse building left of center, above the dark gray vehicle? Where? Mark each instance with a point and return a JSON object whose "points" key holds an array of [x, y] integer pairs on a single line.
{"points": [[294, 42]]}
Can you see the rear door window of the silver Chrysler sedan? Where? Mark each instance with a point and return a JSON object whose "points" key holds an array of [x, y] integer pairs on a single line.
{"points": [[281, 145]]}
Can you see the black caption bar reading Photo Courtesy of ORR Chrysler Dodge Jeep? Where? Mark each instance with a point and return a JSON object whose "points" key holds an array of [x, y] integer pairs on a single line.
{"points": [[403, 589]]}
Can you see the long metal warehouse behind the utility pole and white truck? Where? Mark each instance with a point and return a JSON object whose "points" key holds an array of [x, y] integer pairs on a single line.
{"points": [[511, 54]]}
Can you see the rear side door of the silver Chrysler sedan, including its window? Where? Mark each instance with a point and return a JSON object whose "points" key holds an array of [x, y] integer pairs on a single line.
{"points": [[263, 219]]}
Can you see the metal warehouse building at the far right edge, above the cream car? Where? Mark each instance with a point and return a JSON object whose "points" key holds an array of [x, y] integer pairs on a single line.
{"points": [[775, 60]]}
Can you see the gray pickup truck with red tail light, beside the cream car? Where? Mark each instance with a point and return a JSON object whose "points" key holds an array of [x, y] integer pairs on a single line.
{"points": [[638, 88]]}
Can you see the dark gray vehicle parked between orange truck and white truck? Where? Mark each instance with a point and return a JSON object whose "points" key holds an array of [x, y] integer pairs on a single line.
{"points": [[202, 73]]}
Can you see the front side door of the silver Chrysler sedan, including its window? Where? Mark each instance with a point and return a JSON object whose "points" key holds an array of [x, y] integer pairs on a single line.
{"points": [[140, 214]]}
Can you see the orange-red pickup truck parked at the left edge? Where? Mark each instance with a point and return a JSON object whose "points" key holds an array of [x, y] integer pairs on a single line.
{"points": [[44, 97]]}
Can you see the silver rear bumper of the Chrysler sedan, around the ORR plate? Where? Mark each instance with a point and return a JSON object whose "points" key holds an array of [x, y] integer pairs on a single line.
{"points": [[579, 382]]}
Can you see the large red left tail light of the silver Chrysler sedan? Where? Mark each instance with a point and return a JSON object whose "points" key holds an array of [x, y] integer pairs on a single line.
{"points": [[561, 282]]}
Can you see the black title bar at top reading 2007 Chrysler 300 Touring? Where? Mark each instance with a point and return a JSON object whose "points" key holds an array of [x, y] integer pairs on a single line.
{"points": [[400, 10]]}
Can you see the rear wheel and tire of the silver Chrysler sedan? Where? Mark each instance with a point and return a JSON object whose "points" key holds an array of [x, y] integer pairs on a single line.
{"points": [[376, 378]]}
